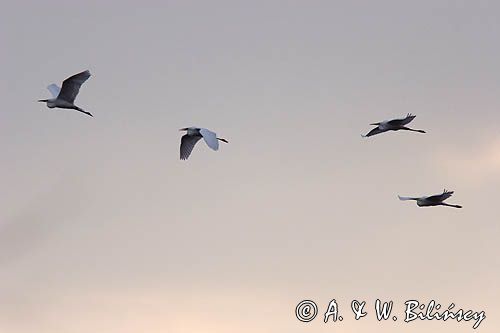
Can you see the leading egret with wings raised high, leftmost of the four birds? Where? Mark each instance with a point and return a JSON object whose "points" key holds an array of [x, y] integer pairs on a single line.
{"points": [[64, 97]]}
